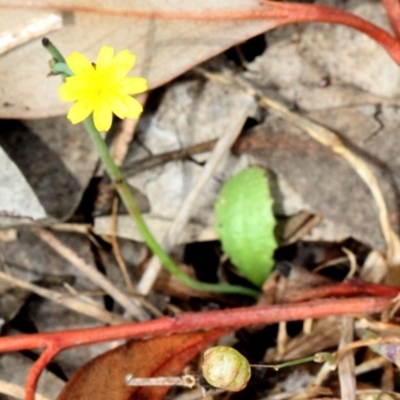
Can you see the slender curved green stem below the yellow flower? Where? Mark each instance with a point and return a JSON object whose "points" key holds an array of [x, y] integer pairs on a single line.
{"points": [[133, 210]]}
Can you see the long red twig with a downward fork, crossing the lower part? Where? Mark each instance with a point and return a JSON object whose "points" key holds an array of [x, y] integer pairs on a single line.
{"points": [[54, 342]]}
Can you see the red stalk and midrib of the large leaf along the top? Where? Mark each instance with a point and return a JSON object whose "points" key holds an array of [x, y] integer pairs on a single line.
{"points": [[280, 13]]}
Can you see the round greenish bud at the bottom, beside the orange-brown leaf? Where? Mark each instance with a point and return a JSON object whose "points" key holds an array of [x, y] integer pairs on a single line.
{"points": [[225, 368]]}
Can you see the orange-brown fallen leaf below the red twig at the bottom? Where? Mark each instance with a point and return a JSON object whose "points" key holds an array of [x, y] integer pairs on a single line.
{"points": [[103, 378]]}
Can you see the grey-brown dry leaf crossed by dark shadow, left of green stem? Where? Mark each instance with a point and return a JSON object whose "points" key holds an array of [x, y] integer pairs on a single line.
{"points": [[62, 162]]}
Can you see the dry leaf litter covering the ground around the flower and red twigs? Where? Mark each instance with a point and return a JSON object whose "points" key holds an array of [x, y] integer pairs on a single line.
{"points": [[335, 76]]}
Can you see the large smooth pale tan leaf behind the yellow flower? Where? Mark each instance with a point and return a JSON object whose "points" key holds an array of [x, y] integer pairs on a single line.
{"points": [[166, 45]]}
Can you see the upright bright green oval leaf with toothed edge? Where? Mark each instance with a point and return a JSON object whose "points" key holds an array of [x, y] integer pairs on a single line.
{"points": [[246, 224]]}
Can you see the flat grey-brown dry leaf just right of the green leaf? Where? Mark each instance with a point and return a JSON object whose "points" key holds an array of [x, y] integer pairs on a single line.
{"points": [[324, 180]]}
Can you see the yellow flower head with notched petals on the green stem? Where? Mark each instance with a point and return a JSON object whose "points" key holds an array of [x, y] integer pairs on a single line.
{"points": [[102, 88]]}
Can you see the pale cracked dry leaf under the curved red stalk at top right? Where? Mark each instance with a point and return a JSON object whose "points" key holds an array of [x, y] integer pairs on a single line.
{"points": [[321, 66]]}
